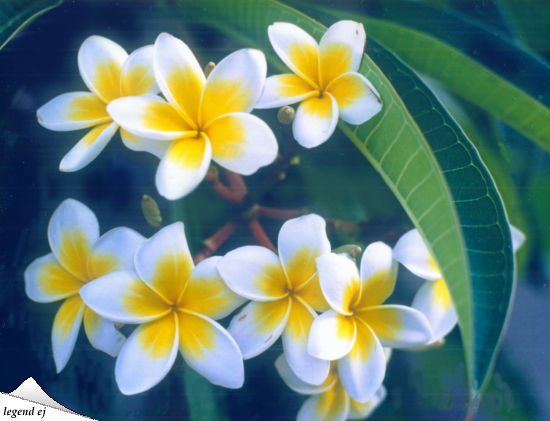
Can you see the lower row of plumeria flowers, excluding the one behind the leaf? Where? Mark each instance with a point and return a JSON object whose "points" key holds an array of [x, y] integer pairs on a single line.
{"points": [[121, 277]]}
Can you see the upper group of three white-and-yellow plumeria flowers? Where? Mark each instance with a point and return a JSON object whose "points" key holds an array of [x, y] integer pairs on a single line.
{"points": [[199, 118]]}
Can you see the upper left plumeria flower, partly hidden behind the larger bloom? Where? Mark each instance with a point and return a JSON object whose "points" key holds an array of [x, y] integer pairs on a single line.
{"points": [[109, 73]]}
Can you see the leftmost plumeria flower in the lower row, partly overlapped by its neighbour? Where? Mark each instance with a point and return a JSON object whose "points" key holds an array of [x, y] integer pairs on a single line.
{"points": [[79, 255]]}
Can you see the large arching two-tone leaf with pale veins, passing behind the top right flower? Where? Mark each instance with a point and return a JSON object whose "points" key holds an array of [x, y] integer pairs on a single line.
{"points": [[476, 240]]}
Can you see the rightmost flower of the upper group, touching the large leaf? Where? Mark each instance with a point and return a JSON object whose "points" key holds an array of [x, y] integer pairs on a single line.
{"points": [[325, 80]]}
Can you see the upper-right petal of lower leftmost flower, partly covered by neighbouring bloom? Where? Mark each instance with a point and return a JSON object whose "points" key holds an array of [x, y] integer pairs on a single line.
{"points": [[114, 251]]}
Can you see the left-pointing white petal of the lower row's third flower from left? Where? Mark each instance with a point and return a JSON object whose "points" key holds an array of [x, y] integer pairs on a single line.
{"points": [[254, 272]]}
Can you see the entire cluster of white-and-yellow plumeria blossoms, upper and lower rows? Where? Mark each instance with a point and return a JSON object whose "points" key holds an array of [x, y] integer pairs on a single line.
{"points": [[336, 331]]}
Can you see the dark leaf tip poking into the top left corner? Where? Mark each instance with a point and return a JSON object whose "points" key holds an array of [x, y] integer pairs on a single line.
{"points": [[15, 14]]}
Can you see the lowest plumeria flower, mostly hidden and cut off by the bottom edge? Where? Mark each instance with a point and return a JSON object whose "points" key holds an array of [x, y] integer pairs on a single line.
{"points": [[330, 401]]}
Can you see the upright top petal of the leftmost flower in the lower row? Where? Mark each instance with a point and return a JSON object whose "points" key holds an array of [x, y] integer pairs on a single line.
{"points": [[72, 231]]}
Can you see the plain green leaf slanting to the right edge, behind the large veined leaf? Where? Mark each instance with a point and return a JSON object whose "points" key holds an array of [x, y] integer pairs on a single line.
{"points": [[465, 77]]}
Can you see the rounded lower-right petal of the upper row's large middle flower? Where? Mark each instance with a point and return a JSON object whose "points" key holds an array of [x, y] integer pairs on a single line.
{"points": [[242, 143]]}
